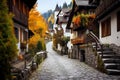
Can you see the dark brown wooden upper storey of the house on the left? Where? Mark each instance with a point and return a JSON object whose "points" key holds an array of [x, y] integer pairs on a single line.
{"points": [[20, 11]]}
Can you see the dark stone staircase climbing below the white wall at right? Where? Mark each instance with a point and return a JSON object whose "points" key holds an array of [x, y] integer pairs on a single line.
{"points": [[110, 59]]}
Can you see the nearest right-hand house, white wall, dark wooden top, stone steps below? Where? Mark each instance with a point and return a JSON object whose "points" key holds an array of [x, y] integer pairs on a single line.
{"points": [[108, 18]]}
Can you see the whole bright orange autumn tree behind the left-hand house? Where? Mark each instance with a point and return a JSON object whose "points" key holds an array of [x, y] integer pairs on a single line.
{"points": [[38, 25]]}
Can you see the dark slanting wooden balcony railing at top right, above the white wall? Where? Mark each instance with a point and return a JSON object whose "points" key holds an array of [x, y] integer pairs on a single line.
{"points": [[103, 6]]}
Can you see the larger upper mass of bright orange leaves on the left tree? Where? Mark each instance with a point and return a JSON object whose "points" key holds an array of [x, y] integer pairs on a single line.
{"points": [[37, 21]]}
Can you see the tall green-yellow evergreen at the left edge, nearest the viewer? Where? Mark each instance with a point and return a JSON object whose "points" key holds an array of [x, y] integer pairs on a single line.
{"points": [[8, 48]]}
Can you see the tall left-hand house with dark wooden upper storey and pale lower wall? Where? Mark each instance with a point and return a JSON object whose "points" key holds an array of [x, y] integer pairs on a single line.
{"points": [[20, 10]]}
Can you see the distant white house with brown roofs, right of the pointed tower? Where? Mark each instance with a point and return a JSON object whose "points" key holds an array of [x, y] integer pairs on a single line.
{"points": [[61, 22]]}
